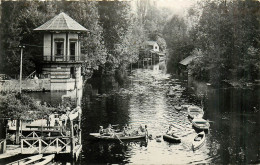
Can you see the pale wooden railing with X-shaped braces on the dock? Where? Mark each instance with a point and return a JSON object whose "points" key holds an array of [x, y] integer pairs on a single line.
{"points": [[45, 145]]}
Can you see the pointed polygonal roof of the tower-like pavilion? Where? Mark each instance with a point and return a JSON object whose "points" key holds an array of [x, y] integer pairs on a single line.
{"points": [[61, 22]]}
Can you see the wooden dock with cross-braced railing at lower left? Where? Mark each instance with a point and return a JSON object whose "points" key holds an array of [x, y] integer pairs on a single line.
{"points": [[36, 138]]}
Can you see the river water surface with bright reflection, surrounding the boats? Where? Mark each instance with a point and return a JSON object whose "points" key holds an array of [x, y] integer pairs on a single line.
{"points": [[145, 99]]}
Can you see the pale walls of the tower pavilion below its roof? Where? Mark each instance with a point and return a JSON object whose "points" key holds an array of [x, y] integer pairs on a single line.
{"points": [[60, 73]]}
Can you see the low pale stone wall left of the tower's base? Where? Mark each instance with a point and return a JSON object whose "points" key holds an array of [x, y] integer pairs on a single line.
{"points": [[27, 85]]}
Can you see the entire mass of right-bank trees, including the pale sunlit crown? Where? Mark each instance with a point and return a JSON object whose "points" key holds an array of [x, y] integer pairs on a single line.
{"points": [[226, 33]]}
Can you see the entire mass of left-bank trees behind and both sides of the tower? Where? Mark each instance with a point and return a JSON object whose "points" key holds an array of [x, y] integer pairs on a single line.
{"points": [[112, 41]]}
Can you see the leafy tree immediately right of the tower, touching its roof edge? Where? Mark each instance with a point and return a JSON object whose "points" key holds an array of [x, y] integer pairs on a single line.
{"points": [[93, 47]]}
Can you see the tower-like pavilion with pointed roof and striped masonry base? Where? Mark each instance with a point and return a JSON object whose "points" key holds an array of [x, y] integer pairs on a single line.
{"points": [[62, 52]]}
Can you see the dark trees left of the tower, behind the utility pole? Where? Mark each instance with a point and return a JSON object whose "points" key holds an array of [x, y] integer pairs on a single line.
{"points": [[19, 20]]}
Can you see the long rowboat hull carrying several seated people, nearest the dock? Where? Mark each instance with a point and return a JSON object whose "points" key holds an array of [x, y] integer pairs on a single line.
{"points": [[117, 136]]}
